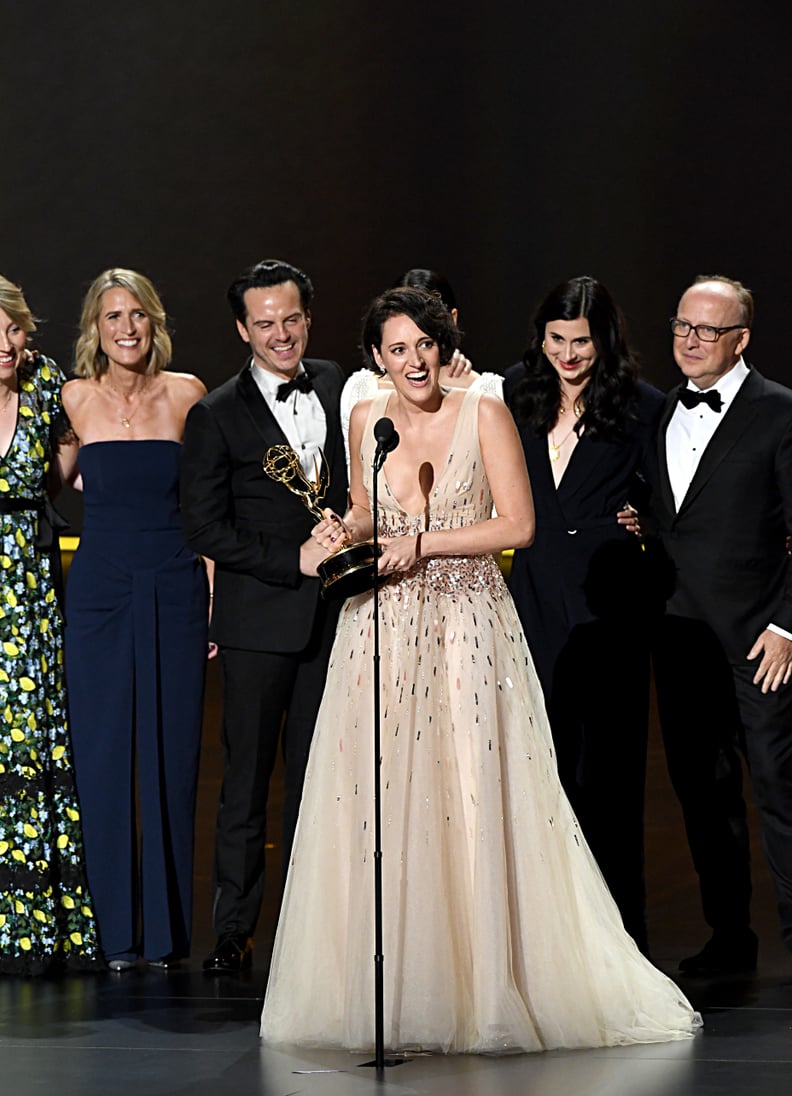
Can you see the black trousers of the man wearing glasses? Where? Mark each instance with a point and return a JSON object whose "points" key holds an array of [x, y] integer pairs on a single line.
{"points": [[711, 713]]}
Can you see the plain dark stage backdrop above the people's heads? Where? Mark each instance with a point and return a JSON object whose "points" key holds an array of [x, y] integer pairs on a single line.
{"points": [[510, 145]]}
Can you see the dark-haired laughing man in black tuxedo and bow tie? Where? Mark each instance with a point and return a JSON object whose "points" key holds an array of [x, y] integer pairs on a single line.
{"points": [[273, 630]]}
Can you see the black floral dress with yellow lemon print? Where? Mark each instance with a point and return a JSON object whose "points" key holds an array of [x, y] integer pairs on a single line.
{"points": [[47, 919]]}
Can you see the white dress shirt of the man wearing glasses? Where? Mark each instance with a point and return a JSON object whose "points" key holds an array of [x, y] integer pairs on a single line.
{"points": [[692, 430]]}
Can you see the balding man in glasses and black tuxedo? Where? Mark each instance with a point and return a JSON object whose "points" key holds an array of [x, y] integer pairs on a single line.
{"points": [[724, 658]]}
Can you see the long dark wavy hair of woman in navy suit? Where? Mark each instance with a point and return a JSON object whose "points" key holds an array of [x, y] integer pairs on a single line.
{"points": [[610, 397]]}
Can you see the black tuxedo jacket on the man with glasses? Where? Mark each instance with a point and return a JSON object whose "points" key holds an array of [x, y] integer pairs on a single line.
{"points": [[729, 541]]}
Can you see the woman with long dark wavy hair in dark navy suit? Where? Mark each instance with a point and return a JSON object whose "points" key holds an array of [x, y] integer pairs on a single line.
{"points": [[583, 589]]}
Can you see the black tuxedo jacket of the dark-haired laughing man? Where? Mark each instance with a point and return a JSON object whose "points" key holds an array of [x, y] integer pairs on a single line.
{"points": [[249, 524]]}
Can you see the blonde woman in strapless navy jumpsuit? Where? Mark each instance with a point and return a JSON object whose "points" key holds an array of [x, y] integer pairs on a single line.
{"points": [[137, 625]]}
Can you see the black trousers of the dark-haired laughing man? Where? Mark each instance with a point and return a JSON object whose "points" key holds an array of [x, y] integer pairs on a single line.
{"points": [[269, 700]]}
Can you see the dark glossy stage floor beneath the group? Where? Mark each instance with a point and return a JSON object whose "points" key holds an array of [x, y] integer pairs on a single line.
{"points": [[153, 1034]]}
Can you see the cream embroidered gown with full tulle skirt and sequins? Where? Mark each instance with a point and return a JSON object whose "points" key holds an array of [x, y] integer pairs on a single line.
{"points": [[500, 933]]}
